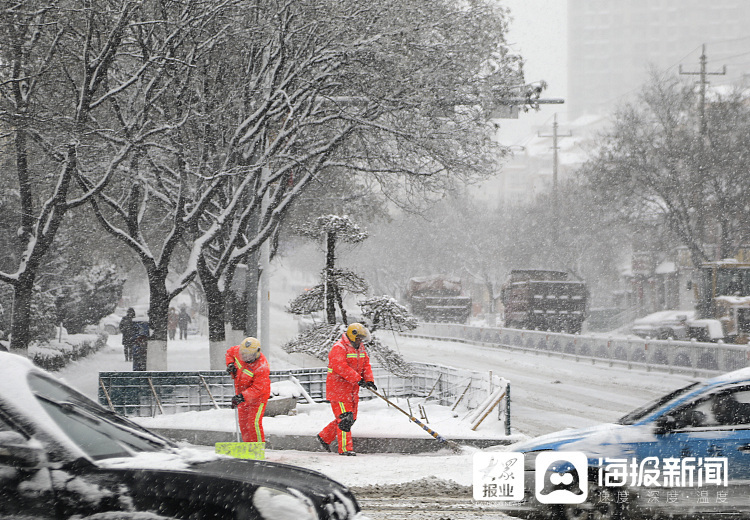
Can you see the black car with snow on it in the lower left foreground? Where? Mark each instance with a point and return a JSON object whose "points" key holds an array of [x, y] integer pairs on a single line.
{"points": [[63, 455]]}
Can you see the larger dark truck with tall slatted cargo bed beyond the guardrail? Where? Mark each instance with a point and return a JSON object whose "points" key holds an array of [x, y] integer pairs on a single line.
{"points": [[544, 300]]}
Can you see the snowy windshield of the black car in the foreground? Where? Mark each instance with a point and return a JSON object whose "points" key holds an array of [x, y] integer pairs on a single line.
{"points": [[99, 433]]}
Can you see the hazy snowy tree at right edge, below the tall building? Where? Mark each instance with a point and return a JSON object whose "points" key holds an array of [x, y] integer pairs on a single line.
{"points": [[667, 160]]}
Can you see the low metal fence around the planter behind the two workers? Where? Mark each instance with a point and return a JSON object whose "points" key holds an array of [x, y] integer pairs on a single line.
{"points": [[145, 393]]}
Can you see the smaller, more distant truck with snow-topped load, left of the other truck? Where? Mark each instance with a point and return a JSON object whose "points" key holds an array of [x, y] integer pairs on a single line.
{"points": [[438, 299]]}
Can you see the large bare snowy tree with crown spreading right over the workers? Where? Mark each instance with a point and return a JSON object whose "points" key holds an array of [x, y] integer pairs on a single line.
{"points": [[332, 90]]}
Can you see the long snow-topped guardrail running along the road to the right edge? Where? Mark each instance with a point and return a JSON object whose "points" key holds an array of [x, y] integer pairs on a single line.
{"points": [[631, 351]]}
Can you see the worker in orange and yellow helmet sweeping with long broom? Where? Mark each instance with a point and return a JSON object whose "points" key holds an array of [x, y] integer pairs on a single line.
{"points": [[348, 370]]}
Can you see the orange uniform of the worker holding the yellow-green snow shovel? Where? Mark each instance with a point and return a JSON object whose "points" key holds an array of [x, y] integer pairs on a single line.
{"points": [[253, 381]]}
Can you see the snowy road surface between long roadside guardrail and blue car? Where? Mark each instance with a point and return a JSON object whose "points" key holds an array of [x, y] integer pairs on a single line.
{"points": [[550, 393]]}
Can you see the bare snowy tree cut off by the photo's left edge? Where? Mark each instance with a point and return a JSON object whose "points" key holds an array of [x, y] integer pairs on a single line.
{"points": [[60, 64]]}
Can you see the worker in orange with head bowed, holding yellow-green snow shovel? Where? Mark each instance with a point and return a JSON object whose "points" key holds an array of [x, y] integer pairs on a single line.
{"points": [[252, 383]]}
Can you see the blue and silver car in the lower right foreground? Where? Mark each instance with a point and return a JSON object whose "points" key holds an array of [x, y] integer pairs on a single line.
{"points": [[686, 454]]}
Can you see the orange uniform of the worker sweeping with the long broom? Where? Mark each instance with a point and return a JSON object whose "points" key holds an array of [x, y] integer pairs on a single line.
{"points": [[346, 367]]}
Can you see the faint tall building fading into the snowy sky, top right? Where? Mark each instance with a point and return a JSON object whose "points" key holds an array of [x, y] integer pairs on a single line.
{"points": [[612, 44]]}
